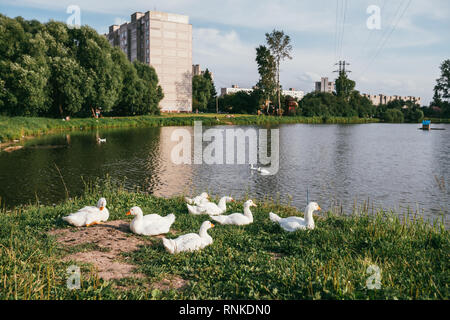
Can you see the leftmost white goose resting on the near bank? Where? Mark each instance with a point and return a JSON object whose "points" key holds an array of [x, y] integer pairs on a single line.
{"points": [[89, 216]]}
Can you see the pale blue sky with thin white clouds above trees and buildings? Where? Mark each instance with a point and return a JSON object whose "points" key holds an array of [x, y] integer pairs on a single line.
{"points": [[402, 57]]}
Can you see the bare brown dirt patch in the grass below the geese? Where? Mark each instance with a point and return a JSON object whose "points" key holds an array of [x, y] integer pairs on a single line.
{"points": [[111, 239]]}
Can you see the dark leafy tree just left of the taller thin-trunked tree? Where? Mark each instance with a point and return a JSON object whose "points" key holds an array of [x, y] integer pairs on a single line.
{"points": [[267, 69]]}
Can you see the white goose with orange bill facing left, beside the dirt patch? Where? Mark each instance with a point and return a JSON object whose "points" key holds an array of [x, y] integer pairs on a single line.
{"points": [[151, 224]]}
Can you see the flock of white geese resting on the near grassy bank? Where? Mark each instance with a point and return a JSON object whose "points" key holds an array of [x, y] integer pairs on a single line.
{"points": [[153, 224]]}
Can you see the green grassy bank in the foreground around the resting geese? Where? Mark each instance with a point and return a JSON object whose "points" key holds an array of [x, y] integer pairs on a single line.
{"points": [[259, 261]]}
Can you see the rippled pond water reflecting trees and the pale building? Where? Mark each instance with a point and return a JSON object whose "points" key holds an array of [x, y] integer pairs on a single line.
{"points": [[392, 165]]}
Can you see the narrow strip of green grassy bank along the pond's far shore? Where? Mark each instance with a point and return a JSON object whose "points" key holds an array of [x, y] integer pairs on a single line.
{"points": [[18, 127]]}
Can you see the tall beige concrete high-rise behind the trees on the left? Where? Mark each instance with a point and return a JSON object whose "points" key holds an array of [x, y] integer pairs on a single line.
{"points": [[164, 41]]}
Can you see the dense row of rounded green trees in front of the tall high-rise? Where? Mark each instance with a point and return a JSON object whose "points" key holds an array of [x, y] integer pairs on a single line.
{"points": [[55, 71]]}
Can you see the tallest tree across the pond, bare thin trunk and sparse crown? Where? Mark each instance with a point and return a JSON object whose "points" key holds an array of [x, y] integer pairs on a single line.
{"points": [[280, 48]]}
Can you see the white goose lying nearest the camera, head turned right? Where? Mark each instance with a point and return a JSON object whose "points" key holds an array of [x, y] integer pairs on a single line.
{"points": [[190, 241]]}
